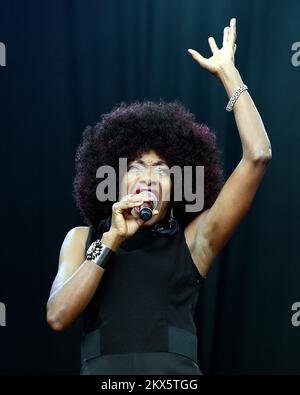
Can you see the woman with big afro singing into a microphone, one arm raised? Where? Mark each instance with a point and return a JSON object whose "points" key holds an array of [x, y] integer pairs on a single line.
{"points": [[136, 279]]}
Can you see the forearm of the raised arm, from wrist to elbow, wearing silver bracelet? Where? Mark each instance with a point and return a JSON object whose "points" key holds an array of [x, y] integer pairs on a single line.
{"points": [[254, 139]]}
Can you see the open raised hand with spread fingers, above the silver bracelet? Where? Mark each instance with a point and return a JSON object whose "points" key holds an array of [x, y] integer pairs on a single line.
{"points": [[221, 57]]}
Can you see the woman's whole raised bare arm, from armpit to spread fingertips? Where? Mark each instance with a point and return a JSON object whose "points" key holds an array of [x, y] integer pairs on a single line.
{"points": [[211, 230]]}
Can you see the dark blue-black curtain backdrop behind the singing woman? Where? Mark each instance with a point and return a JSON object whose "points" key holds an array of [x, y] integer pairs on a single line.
{"points": [[70, 61]]}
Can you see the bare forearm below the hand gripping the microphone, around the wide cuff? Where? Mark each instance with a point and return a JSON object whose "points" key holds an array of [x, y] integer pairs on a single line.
{"points": [[68, 301]]}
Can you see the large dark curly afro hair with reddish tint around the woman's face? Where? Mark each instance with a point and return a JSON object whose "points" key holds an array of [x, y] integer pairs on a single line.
{"points": [[130, 130]]}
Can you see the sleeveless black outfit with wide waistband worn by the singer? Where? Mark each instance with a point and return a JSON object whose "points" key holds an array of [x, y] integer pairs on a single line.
{"points": [[141, 317]]}
